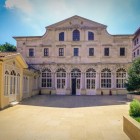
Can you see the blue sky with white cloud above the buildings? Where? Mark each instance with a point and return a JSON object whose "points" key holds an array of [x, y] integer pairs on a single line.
{"points": [[30, 17]]}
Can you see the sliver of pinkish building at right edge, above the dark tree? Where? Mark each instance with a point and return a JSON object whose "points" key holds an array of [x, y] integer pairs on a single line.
{"points": [[136, 44]]}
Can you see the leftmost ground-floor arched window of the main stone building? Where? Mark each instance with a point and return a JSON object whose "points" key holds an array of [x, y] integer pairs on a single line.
{"points": [[47, 78]]}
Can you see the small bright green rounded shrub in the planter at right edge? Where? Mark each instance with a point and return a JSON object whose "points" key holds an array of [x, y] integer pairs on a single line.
{"points": [[134, 108]]}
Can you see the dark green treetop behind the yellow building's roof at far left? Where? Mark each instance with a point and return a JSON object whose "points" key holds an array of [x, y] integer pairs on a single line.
{"points": [[7, 47]]}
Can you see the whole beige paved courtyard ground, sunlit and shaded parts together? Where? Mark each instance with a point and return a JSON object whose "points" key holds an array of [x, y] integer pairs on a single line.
{"points": [[65, 118]]}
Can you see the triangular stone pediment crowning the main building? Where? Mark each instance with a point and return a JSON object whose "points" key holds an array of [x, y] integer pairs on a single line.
{"points": [[76, 22]]}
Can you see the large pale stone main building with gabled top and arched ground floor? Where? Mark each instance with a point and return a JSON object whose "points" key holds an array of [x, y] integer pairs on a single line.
{"points": [[78, 56]]}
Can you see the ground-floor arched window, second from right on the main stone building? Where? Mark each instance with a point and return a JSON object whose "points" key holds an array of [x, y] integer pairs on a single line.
{"points": [[106, 78]]}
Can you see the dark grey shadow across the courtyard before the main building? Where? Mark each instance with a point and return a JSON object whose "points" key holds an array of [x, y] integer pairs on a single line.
{"points": [[61, 101]]}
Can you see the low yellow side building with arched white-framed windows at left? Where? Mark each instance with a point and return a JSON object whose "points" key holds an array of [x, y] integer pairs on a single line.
{"points": [[15, 78]]}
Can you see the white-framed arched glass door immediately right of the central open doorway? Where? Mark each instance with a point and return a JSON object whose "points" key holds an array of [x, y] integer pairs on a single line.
{"points": [[90, 78]]}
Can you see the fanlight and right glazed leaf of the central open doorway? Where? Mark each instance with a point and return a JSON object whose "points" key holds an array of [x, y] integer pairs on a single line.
{"points": [[76, 74]]}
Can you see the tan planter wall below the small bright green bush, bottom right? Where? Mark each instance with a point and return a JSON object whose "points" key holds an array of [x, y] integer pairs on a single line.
{"points": [[131, 127]]}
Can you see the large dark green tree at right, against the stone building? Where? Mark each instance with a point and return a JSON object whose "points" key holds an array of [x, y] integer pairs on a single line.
{"points": [[133, 81]]}
